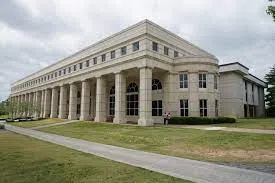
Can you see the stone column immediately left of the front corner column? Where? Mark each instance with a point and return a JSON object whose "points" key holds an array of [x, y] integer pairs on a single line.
{"points": [[120, 88]]}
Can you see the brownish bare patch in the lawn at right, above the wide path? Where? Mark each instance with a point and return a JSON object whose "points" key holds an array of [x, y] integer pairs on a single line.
{"points": [[223, 155]]}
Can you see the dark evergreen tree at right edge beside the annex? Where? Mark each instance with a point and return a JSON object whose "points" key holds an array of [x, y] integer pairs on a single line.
{"points": [[270, 96]]}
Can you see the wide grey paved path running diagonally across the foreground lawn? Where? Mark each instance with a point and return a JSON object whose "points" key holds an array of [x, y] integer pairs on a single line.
{"points": [[193, 170]]}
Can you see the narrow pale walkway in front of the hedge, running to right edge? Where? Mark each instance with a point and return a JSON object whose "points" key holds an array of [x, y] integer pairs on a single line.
{"points": [[229, 129]]}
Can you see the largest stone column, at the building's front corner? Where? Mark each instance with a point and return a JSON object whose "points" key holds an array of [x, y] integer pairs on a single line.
{"points": [[145, 97]]}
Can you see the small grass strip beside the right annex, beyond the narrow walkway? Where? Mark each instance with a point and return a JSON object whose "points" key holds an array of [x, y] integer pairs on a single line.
{"points": [[260, 123]]}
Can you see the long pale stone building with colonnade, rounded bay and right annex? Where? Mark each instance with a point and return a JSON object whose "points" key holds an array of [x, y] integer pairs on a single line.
{"points": [[138, 74]]}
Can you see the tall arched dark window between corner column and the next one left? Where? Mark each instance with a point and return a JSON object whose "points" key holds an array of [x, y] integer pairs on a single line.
{"points": [[132, 100]]}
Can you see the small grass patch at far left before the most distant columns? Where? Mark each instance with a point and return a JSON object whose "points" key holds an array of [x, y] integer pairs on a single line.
{"points": [[30, 124]]}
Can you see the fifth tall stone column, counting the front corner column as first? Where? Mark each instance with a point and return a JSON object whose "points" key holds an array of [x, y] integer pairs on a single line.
{"points": [[73, 102]]}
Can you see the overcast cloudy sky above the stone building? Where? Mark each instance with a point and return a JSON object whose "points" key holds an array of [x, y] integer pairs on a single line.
{"points": [[35, 34]]}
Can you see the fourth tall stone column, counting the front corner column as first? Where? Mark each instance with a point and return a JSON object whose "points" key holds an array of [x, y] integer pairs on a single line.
{"points": [[85, 100]]}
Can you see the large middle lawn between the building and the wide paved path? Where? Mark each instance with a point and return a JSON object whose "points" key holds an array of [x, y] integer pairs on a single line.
{"points": [[217, 146]]}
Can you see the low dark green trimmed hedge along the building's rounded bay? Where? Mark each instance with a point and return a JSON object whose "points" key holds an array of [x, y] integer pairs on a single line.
{"points": [[200, 120]]}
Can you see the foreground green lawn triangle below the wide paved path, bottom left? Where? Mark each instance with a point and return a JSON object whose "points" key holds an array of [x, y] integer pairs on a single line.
{"points": [[24, 159]]}
